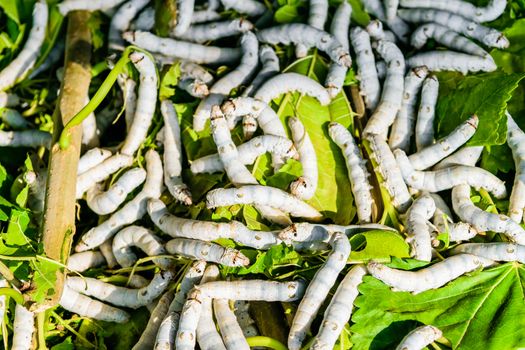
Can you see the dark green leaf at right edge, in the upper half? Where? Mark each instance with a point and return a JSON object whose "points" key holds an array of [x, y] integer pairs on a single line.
{"points": [[485, 95]]}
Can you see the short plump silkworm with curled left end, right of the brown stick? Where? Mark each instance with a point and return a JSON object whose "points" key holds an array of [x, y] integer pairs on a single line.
{"points": [[107, 202]]}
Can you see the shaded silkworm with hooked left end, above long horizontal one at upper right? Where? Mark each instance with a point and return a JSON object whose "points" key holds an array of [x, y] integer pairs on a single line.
{"points": [[445, 37]]}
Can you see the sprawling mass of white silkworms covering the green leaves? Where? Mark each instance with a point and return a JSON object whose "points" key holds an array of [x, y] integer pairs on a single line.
{"points": [[400, 94]]}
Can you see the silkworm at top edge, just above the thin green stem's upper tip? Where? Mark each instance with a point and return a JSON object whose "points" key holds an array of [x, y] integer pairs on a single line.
{"points": [[121, 20]]}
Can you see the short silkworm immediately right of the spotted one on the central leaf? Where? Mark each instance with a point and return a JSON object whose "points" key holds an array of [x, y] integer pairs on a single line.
{"points": [[391, 173]]}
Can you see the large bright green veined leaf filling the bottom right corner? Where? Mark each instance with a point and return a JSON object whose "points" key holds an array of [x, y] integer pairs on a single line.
{"points": [[486, 309]]}
